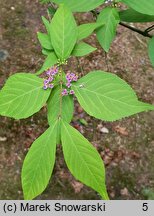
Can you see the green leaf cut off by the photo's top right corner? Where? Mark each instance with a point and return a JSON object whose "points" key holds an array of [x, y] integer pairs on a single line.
{"points": [[142, 6]]}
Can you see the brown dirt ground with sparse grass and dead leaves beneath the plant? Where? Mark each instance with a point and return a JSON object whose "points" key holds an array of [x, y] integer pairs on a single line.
{"points": [[126, 146]]}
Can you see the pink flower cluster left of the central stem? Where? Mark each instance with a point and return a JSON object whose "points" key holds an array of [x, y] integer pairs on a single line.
{"points": [[51, 72]]}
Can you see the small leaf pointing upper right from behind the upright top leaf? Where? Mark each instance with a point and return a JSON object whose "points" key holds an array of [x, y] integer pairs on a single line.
{"points": [[86, 30]]}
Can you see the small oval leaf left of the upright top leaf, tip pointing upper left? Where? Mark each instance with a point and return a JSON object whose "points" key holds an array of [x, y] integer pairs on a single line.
{"points": [[44, 40]]}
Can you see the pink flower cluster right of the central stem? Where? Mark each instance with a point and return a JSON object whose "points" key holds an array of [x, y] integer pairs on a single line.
{"points": [[70, 77]]}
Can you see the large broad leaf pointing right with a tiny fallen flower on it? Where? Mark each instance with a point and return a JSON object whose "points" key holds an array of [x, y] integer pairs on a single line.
{"points": [[107, 97]]}
